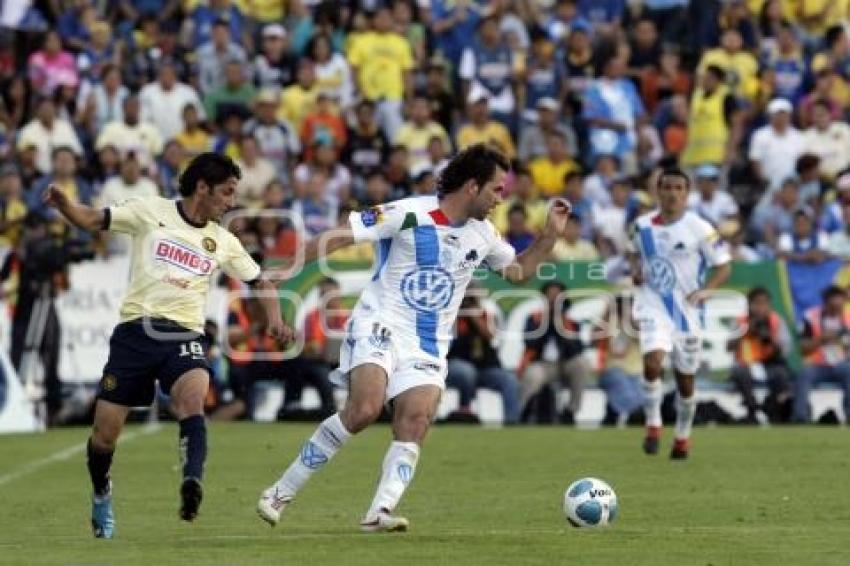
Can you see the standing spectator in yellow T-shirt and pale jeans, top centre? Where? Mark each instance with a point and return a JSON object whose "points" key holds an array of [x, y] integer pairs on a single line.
{"points": [[382, 62]]}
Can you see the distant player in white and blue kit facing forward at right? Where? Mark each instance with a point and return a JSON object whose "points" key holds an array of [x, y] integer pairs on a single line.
{"points": [[672, 251]]}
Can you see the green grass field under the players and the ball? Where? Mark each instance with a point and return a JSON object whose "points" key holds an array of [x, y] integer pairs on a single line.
{"points": [[481, 496]]}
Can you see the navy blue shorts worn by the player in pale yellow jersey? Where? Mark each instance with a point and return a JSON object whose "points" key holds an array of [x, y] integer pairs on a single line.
{"points": [[142, 353]]}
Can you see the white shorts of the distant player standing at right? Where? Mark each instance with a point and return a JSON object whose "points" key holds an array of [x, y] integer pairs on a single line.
{"points": [[657, 332]]}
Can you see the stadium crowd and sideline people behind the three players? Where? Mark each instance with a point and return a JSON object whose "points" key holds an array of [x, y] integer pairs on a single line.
{"points": [[333, 106]]}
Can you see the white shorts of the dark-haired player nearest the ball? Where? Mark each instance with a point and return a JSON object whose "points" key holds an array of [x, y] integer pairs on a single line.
{"points": [[368, 341]]}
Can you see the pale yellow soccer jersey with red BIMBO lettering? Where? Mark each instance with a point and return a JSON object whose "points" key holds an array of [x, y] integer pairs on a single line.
{"points": [[173, 260]]}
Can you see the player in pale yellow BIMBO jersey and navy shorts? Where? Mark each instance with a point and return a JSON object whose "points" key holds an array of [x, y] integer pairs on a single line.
{"points": [[176, 248]]}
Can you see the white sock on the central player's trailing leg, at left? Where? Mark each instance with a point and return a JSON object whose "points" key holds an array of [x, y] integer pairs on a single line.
{"points": [[315, 453]]}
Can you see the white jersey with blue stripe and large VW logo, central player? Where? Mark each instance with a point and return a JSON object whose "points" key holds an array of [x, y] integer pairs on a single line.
{"points": [[423, 267]]}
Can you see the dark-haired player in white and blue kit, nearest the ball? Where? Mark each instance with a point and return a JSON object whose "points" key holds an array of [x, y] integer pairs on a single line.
{"points": [[399, 332]]}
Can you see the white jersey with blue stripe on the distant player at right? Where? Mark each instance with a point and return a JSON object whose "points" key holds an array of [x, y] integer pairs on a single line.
{"points": [[674, 261]]}
